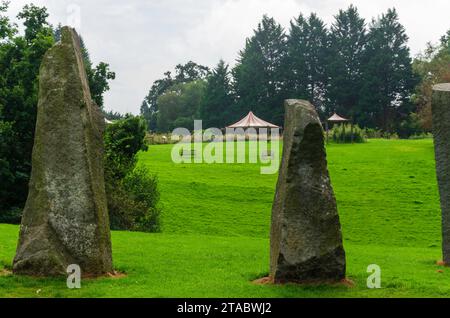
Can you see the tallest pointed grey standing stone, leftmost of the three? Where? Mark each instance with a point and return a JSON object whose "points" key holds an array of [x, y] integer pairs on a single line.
{"points": [[65, 220]]}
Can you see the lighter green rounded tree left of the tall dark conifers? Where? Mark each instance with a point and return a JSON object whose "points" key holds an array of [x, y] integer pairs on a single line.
{"points": [[179, 105]]}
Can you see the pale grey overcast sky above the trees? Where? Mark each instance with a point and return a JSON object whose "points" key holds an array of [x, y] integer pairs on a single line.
{"points": [[141, 39]]}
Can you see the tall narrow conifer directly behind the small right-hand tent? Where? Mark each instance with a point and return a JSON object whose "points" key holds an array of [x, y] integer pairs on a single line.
{"points": [[347, 45]]}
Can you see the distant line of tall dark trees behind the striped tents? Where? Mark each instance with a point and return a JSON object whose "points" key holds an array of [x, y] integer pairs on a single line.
{"points": [[362, 70]]}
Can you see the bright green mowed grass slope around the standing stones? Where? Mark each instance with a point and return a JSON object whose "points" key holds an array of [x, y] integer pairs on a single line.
{"points": [[216, 225]]}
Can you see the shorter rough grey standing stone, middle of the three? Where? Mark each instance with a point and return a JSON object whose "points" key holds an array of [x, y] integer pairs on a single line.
{"points": [[306, 240]]}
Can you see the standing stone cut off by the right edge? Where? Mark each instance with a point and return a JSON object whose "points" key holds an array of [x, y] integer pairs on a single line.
{"points": [[441, 131]]}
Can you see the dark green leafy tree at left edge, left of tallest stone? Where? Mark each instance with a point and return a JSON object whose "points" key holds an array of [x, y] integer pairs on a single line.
{"points": [[20, 59]]}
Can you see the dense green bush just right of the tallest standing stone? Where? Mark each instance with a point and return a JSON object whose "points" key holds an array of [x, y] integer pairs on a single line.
{"points": [[132, 194]]}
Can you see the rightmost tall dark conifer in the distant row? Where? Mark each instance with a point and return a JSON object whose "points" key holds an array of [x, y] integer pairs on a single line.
{"points": [[388, 79]]}
